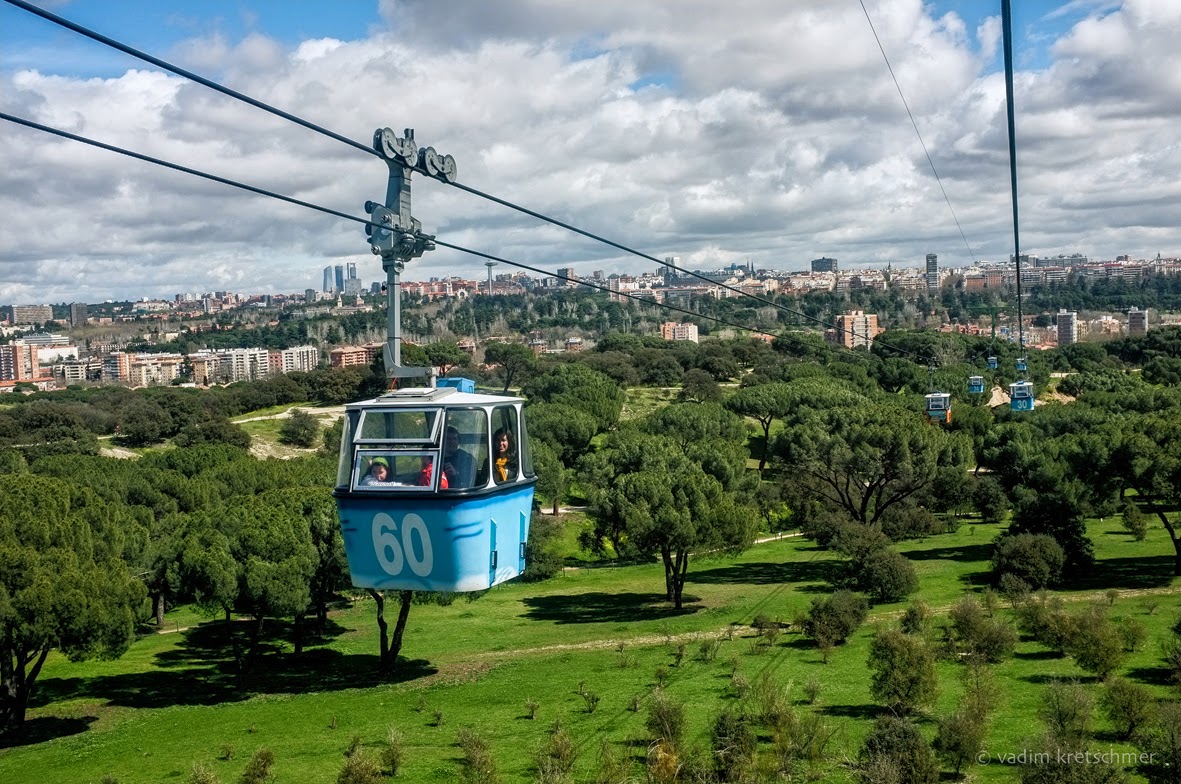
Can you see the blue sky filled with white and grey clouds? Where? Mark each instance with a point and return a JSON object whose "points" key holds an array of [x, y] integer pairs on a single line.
{"points": [[755, 130]]}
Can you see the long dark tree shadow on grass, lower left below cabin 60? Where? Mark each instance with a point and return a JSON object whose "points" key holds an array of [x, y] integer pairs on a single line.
{"points": [[203, 671]]}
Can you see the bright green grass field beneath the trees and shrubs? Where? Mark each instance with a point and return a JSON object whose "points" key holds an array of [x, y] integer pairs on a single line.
{"points": [[171, 702]]}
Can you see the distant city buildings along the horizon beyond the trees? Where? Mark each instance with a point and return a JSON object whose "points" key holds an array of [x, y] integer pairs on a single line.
{"points": [[45, 361]]}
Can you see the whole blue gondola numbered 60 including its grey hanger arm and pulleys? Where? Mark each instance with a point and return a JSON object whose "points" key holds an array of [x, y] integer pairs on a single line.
{"points": [[434, 486]]}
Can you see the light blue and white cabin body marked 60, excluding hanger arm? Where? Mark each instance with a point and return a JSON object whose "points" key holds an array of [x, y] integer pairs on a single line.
{"points": [[435, 491]]}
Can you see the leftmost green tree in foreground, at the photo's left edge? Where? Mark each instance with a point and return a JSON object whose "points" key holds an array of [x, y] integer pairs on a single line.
{"points": [[63, 584]]}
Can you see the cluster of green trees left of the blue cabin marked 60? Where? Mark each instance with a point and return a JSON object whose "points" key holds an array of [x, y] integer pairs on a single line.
{"points": [[92, 546]]}
